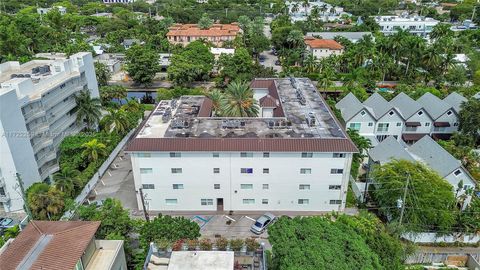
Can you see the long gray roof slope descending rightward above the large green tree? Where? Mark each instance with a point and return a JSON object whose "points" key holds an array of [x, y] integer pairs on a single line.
{"points": [[432, 154]]}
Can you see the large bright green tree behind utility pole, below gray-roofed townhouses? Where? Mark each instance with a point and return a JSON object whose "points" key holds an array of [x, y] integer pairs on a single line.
{"points": [[430, 203]]}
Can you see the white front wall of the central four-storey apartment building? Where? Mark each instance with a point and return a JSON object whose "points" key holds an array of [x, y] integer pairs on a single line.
{"points": [[283, 179]]}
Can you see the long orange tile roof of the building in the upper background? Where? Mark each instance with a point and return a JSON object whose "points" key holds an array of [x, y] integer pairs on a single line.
{"points": [[192, 30]]}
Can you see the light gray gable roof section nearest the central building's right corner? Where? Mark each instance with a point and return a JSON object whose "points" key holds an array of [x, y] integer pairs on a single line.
{"points": [[389, 149]]}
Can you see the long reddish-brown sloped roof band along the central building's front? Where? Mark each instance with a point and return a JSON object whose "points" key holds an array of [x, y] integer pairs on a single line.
{"points": [[242, 144]]}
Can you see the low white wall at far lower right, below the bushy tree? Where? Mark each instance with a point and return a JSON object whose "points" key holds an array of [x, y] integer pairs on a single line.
{"points": [[425, 238]]}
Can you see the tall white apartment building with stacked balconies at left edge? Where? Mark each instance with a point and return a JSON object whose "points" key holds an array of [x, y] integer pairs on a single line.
{"points": [[37, 110]]}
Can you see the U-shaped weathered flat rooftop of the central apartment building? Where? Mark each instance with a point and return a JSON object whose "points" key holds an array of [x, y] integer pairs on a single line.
{"points": [[177, 119]]}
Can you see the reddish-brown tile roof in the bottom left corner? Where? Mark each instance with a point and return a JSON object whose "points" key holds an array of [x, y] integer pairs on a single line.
{"points": [[69, 239]]}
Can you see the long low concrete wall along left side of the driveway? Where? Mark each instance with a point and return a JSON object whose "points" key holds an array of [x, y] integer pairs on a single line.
{"points": [[96, 177]]}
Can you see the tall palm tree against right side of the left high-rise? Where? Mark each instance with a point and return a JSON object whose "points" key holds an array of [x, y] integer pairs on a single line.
{"points": [[88, 109]]}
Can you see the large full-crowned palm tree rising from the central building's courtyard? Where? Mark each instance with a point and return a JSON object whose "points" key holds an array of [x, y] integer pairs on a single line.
{"points": [[239, 101]]}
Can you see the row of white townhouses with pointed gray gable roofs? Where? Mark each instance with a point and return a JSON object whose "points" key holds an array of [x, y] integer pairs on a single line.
{"points": [[402, 117]]}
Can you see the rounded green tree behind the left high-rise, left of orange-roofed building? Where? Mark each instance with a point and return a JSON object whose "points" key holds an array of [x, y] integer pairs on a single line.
{"points": [[142, 64]]}
